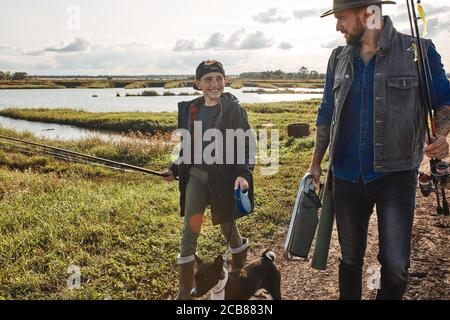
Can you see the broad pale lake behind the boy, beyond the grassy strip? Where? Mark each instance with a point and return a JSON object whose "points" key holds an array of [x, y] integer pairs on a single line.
{"points": [[108, 102]]}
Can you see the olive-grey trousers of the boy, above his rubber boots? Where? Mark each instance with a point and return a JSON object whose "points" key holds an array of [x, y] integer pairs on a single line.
{"points": [[197, 193]]}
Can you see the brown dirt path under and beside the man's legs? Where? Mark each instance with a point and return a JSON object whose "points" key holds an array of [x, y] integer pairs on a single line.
{"points": [[430, 261]]}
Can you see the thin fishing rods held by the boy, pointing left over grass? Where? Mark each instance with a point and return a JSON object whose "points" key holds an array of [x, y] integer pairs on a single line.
{"points": [[77, 156]]}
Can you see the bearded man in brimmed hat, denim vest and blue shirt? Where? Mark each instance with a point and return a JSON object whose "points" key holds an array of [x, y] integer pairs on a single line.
{"points": [[370, 116]]}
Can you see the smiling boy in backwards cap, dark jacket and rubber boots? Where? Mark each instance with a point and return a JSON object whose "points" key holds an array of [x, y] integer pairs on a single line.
{"points": [[202, 183]]}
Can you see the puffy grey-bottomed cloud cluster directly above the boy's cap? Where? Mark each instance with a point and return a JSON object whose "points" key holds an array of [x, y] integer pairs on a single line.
{"points": [[239, 40]]}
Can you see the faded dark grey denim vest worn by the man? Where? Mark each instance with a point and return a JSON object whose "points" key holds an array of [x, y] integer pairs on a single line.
{"points": [[399, 130]]}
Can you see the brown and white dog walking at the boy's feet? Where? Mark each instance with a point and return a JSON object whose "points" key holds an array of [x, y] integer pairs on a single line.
{"points": [[237, 285]]}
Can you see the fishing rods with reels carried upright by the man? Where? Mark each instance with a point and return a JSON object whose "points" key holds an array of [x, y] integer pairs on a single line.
{"points": [[440, 172]]}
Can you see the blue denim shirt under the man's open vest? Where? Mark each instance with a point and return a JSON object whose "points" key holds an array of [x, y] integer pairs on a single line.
{"points": [[354, 155]]}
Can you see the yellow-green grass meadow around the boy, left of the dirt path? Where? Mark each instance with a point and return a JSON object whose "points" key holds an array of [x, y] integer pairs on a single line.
{"points": [[122, 229]]}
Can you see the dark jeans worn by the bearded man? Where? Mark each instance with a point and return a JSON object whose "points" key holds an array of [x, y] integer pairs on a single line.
{"points": [[394, 197]]}
